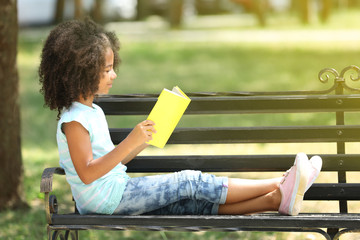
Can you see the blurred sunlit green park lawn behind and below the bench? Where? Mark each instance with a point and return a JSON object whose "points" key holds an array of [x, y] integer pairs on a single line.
{"points": [[213, 49]]}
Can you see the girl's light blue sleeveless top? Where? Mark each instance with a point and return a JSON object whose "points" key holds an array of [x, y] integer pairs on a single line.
{"points": [[103, 195]]}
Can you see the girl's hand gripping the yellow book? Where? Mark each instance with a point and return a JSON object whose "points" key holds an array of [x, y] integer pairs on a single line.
{"points": [[142, 132]]}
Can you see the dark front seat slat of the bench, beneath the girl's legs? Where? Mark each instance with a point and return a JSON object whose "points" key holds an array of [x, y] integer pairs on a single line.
{"points": [[227, 222]]}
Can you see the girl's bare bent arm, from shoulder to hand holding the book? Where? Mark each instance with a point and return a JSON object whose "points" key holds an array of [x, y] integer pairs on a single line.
{"points": [[90, 169]]}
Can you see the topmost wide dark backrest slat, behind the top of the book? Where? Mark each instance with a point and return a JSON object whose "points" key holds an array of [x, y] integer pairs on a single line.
{"points": [[231, 105]]}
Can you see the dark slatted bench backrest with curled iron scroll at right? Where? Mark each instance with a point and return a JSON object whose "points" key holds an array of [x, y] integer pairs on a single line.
{"points": [[213, 105]]}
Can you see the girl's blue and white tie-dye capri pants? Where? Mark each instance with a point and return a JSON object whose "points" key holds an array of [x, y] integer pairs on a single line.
{"points": [[185, 192]]}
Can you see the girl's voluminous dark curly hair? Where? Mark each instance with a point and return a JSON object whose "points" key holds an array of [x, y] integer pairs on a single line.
{"points": [[72, 60]]}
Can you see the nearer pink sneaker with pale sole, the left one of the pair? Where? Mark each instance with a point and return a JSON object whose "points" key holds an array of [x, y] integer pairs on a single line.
{"points": [[293, 186]]}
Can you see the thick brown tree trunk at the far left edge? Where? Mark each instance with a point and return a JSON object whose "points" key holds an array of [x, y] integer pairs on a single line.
{"points": [[11, 168]]}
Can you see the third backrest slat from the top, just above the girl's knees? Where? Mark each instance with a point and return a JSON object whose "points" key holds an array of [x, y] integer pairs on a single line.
{"points": [[236, 163]]}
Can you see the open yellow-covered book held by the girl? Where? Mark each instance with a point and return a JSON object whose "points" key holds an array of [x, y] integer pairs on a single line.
{"points": [[166, 114]]}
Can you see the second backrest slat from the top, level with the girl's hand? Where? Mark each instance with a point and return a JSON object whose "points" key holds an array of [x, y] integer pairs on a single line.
{"points": [[295, 134]]}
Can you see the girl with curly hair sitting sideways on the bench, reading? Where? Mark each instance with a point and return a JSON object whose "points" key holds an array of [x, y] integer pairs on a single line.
{"points": [[77, 63]]}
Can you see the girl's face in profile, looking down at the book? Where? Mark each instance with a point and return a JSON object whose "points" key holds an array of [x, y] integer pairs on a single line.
{"points": [[108, 76]]}
